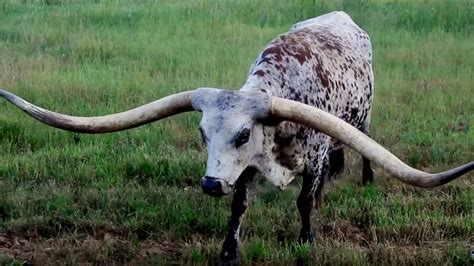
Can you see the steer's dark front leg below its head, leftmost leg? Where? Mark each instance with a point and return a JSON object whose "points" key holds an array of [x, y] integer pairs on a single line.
{"points": [[230, 249]]}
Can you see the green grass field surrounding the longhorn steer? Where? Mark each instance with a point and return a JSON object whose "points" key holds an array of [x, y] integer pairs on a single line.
{"points": [[134, 196]]}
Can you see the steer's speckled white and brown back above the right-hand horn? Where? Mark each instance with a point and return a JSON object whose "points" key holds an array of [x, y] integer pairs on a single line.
{"points": [[325, 62]]}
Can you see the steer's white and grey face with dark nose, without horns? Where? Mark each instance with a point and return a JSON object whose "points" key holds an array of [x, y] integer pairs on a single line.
{"points": [[231, 127]]}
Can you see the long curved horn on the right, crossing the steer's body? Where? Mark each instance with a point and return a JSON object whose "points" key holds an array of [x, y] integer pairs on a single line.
{"points": [[331, 125]]}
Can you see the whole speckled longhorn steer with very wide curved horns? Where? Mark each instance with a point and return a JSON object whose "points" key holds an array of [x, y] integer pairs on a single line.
{"points": [[309, 92]]}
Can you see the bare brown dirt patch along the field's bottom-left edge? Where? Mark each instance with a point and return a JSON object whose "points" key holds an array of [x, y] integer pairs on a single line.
{"points": [[99, 248]]}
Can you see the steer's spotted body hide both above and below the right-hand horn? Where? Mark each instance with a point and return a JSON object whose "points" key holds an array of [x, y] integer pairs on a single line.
{"points": [[325, 62]]}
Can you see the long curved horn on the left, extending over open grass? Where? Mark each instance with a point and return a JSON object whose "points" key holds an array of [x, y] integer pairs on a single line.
{"points": [[164, 107]]}
